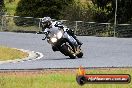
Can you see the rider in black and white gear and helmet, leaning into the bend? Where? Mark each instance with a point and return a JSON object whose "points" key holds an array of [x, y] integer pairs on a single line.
{"points": [[48, 25]]}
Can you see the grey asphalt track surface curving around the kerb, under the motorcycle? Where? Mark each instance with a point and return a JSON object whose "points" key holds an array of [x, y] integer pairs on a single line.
{"points": [[98, 52]]}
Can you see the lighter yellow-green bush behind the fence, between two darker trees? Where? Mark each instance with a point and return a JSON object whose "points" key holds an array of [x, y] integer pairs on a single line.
{"points": [[79, 11]]}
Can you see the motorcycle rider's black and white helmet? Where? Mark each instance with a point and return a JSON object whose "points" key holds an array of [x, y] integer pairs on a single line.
{"points": [[46, 22]]}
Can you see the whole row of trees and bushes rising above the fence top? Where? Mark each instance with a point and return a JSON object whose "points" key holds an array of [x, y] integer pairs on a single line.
{"points": [[90, 10]]}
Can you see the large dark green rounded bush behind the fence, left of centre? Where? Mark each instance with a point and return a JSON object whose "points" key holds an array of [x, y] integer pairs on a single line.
{"points": [[41, 8]]}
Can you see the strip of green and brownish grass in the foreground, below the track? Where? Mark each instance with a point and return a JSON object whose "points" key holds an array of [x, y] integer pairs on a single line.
{"points": [[63, 79]]}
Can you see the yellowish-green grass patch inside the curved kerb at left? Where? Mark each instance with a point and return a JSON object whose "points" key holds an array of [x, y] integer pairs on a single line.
{"points": [[11, 54]]}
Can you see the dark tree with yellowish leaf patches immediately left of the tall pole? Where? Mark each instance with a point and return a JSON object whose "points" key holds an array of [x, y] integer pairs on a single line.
{"points": [[103, 11]]}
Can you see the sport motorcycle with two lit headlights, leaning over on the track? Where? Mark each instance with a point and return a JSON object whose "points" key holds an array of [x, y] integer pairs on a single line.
{"points": [[59, 43]]}
